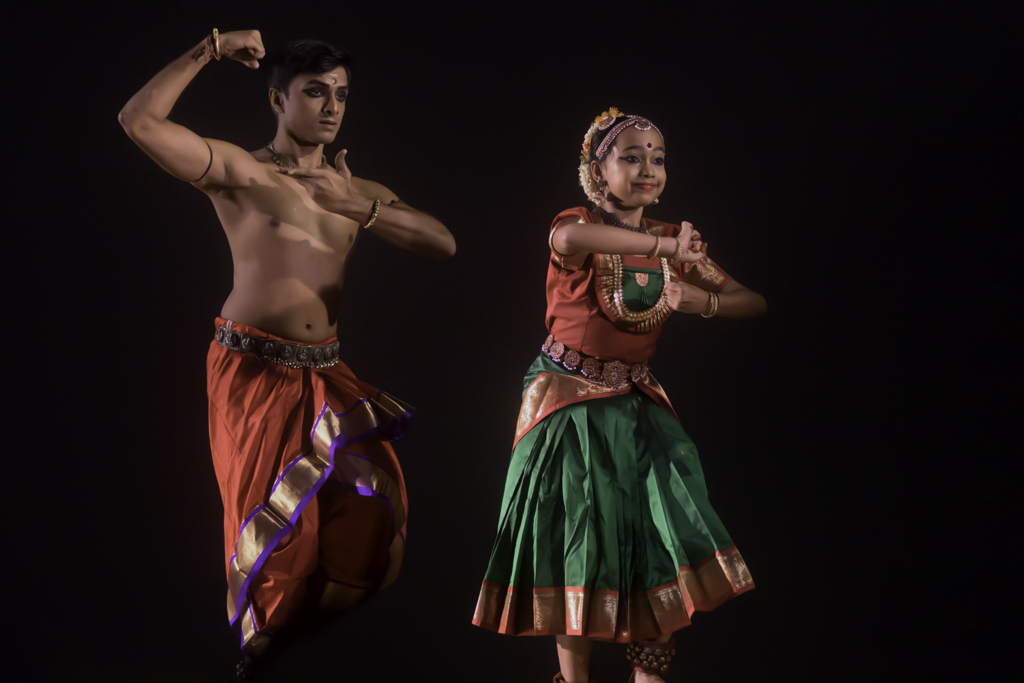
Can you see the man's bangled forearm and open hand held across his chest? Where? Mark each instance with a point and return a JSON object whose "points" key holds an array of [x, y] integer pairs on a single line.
{"points": [[340, 193]]}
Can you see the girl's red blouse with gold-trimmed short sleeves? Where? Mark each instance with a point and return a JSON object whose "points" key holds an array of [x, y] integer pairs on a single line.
{"points": [[575, 315]]}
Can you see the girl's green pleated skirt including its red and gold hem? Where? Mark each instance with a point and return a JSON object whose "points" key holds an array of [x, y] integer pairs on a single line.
{"points": [[606, 529]]}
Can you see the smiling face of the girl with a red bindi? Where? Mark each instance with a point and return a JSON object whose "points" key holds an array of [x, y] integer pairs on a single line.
{"points": [[634, 168]]}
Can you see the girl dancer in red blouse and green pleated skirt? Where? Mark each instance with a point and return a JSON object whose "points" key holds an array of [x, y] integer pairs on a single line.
{"points": [[606, 529]]}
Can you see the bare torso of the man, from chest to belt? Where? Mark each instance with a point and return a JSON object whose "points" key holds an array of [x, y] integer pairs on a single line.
{"points": [[289, 254]]}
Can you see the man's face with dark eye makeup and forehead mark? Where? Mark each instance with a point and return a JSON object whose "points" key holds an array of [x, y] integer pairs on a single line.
{"points": [[315, 107]]}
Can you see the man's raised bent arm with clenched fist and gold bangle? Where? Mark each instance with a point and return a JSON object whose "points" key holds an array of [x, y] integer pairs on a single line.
{"points": [[179, 151]]}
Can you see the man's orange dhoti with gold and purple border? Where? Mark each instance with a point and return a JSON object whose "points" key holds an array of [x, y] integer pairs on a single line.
{"points": [[313, 492]]}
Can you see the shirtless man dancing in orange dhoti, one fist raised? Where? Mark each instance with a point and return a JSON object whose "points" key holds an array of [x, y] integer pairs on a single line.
{"points": [[315, 502]]}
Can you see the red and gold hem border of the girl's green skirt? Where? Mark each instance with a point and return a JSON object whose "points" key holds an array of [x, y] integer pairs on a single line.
{"points": [[609, 615]]}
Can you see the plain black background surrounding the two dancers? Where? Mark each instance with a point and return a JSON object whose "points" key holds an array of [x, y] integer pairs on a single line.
{"points": [[859, 165]]}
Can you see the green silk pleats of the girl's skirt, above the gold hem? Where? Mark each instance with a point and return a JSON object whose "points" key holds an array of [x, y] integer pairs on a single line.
{"points": [[607, 494]]}
